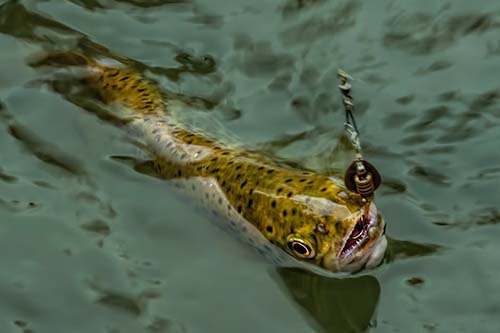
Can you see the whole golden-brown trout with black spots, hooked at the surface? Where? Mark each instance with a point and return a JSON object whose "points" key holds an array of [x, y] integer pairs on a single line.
{"points": [[294, 216]]}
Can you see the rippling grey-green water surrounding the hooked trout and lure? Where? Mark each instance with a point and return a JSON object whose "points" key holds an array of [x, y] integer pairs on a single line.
{"points": [[87, 244]]}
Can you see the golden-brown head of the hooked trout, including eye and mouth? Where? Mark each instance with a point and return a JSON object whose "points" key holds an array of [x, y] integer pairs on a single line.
{"points": [[338, 230]]}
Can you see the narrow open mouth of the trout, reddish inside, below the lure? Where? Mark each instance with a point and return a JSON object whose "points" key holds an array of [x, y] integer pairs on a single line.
{"points": [[365, 228]]}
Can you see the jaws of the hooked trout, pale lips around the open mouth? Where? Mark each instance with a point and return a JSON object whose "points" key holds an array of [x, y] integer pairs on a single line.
{"points": [[365, 251]]}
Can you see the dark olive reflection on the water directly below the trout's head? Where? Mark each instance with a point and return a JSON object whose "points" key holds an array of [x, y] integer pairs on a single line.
{"points": [[336, 304]]}
